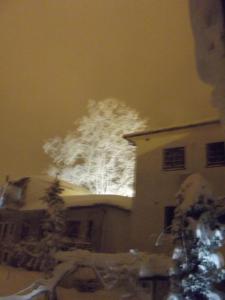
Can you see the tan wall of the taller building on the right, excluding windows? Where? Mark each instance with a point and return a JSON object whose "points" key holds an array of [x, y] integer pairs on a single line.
{"points": [[156, 188]]}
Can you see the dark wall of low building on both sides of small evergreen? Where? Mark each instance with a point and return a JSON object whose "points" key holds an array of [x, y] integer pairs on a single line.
{"points": [[103, 228]]}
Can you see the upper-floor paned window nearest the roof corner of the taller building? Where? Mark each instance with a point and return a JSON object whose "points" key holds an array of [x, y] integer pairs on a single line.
{"points": [[174, 158]]}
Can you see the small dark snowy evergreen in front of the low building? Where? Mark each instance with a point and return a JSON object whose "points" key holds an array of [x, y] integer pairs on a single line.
{"points": [[36, 254]]}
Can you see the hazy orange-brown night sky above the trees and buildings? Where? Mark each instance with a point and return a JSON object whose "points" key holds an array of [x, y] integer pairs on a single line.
{"points": [[57, 54]]}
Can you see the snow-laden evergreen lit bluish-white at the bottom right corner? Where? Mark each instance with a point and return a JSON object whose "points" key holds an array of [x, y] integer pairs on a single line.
{"points": [[197, 236]]}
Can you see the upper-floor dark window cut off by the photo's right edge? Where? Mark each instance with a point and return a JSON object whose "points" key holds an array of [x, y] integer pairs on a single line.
{"points": [[215, 154]]}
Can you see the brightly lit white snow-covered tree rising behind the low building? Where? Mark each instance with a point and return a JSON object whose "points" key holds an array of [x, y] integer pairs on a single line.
{"points": [[95, 155]]}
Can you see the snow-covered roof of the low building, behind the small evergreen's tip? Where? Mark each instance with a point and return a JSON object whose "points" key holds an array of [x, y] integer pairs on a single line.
{"points": [[74, 196]]}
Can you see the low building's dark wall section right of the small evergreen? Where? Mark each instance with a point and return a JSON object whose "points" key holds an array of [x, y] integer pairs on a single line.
{"points": [[109, 229]]}
